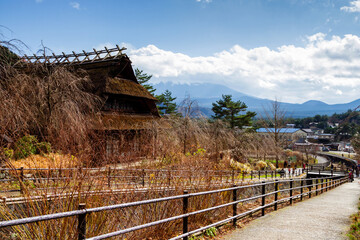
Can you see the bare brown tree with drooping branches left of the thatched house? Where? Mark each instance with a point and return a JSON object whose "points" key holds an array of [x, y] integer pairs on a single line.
{"points": [[54, 104]]}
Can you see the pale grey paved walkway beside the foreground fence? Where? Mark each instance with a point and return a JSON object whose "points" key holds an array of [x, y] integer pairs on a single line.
{"points": [[323, 217]]}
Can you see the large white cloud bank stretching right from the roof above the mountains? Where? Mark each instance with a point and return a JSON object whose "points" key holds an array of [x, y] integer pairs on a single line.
{"points": [[324, 69]]}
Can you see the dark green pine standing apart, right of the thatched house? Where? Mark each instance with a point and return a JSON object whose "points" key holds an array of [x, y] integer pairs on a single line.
{"points": [[229, 111]]}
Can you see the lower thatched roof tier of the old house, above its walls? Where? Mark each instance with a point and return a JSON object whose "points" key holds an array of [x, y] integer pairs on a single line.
{"points": [[110, 121]]}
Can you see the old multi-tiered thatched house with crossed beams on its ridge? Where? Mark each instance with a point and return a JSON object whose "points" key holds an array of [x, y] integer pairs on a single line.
{"points": [[129, 113]]}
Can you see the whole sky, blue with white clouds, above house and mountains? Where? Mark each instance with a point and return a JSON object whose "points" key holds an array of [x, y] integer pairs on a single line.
{"points": [[294, 50]]}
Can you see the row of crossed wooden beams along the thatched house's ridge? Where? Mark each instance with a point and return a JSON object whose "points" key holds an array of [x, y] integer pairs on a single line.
{"points": [[75, 58]]}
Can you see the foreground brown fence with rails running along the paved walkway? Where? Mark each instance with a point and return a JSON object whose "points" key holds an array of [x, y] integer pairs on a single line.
{"points": [[307, 187]]}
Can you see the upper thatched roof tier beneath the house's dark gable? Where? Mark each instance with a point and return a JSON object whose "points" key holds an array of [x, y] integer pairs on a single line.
{"points": [[127, 87]]}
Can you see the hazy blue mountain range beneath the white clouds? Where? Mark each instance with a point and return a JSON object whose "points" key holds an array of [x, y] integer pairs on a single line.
{"points": [[206, 94]]}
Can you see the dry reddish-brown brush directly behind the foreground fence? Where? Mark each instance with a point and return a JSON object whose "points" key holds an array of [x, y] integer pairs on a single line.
{"points": [[74, 192]]}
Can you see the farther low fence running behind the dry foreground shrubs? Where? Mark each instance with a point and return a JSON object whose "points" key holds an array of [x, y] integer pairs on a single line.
{"points": [[13, 180]]}
